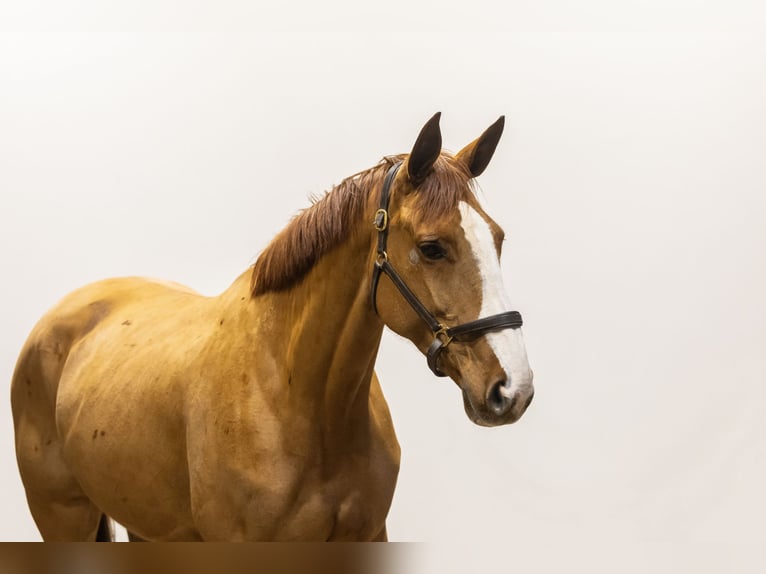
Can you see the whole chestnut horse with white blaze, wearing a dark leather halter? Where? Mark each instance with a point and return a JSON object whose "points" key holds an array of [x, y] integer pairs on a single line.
{"points": [[257, 414]]}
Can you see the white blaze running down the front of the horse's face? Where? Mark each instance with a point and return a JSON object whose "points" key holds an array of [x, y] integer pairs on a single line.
{"points": [[508, 344]]}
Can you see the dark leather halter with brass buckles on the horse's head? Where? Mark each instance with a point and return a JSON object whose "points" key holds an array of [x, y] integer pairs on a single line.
{"points": [[443, 335]]}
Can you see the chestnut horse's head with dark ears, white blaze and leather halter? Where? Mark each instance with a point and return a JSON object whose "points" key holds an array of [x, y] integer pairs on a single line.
{"points": [[441, 252]]}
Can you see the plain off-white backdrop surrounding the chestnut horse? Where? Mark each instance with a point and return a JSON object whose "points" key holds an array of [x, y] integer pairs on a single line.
{"points": [[174, 139]]}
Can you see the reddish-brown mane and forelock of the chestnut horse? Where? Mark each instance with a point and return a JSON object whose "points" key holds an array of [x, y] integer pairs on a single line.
{"points": [[329, 220]]}
